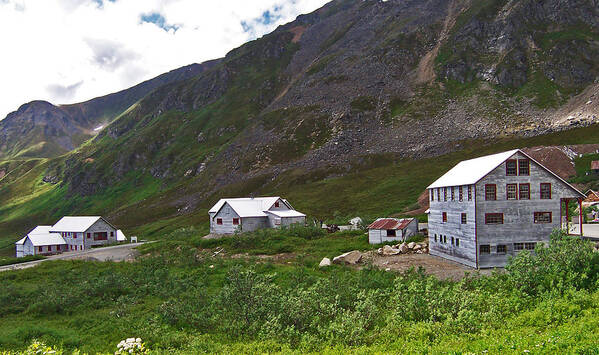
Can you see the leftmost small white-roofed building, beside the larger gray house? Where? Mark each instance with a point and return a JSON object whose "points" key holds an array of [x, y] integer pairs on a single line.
{"points": [[40, 241]]}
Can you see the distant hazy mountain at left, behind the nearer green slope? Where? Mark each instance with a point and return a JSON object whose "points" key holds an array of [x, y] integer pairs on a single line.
{"points": [[40, 129]]}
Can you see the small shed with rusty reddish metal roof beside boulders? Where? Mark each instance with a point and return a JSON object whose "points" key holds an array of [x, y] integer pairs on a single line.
{"points": [[391, 229]]}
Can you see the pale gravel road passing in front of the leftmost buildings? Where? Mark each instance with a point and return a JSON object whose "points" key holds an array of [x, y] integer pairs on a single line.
{"points": [[122, 252]]}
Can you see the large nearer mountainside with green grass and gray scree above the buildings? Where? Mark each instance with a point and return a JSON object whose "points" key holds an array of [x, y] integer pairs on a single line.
{"points": [[350, 109]]}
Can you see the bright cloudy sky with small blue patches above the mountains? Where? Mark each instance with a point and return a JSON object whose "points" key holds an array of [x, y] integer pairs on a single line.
{"points": [[67, 51]]}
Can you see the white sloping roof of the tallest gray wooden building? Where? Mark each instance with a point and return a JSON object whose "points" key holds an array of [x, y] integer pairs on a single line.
{"points": [[469, 172]]}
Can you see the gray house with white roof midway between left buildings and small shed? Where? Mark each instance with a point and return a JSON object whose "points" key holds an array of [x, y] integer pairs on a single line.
{"points": [[232, 215]]}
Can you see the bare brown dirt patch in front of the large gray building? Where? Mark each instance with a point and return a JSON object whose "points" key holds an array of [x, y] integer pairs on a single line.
{"points": [[441, 268]]}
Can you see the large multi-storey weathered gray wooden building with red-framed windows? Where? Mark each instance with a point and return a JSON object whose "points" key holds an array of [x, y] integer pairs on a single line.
{"points": [[485, 209]]}
